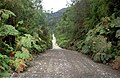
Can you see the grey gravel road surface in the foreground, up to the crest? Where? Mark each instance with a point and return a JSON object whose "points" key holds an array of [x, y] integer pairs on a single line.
{"points": [[60, 63]]}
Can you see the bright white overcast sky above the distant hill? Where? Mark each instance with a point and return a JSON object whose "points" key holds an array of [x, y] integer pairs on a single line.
{"points": [[54, 5]]}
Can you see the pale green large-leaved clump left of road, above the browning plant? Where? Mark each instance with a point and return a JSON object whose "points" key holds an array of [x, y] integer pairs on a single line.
{"points": [[35, 44]]}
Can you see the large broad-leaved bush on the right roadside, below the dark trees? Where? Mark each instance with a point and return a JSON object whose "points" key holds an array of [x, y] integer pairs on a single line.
{"points": [[100, 41]]}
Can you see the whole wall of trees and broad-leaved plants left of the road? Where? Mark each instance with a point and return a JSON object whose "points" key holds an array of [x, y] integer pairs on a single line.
{"points": [[23, 32]]}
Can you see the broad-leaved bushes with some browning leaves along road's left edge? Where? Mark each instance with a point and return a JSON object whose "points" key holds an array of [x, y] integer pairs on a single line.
{"points": [[16, 45]]}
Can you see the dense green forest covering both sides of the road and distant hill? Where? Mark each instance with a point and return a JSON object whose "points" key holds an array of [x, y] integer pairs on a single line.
{"points": [[91, 27]]}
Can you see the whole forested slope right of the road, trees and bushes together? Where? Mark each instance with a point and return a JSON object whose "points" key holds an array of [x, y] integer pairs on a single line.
{"points": [[93, 28]]}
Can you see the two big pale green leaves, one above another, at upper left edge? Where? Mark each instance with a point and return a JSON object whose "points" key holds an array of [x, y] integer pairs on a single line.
{"points": [[5, 29]]}
